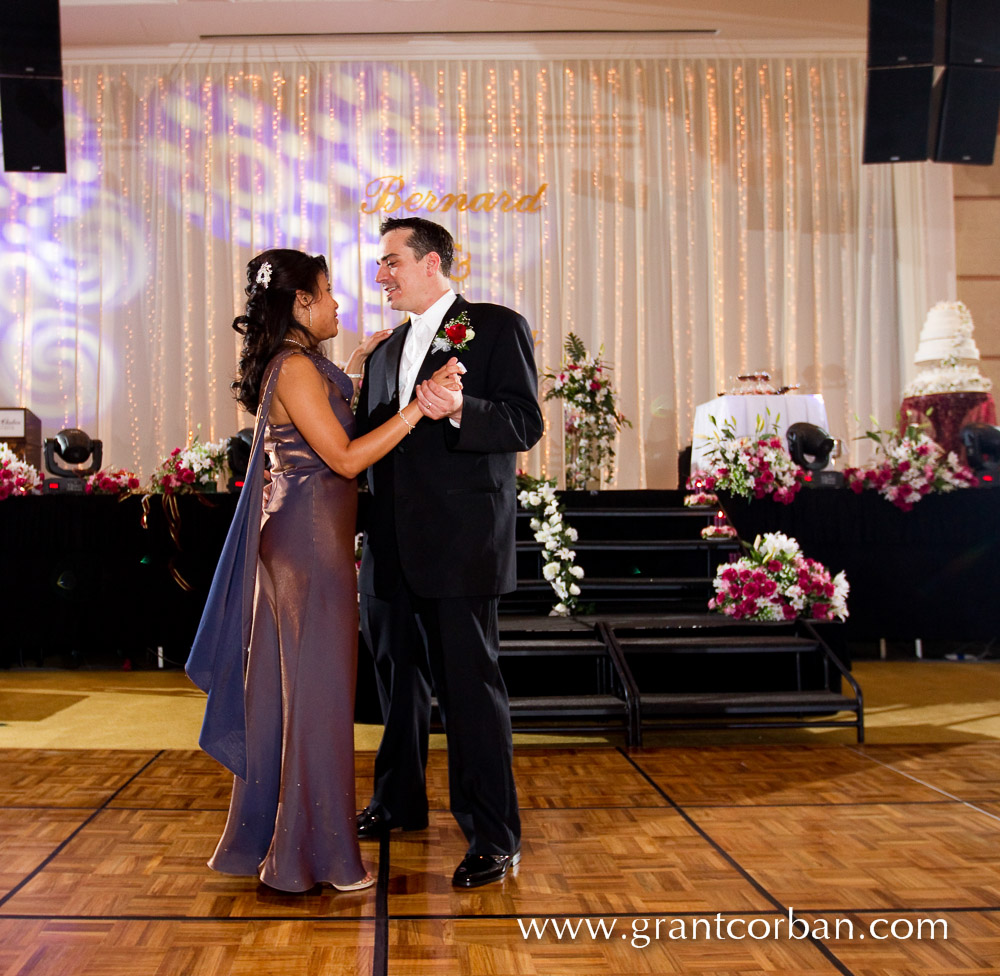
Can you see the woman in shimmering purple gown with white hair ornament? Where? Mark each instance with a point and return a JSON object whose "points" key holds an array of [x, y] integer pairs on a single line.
{"points": [[277, 645]]}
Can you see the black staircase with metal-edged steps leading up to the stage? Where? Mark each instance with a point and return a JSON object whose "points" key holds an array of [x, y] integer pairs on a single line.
{"points": [[645, 652]]}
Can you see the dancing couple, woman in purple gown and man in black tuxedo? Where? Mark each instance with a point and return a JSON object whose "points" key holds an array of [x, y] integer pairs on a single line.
{"points": [[444, 403]]}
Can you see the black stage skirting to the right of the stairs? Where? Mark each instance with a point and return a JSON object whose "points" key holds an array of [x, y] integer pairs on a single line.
{"points": [[930, 573]]}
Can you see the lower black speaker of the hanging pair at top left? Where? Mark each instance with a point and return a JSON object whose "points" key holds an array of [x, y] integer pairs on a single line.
{"points": [[31, 119]]}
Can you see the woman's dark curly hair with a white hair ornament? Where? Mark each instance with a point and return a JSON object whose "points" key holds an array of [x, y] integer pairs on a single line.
{"points": [[268, 318]]}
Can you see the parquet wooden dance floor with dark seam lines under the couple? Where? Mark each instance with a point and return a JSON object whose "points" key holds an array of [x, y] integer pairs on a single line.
{"points": [[665, 860]]}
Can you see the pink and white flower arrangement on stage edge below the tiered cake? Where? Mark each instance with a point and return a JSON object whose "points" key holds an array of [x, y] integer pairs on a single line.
{"points": [[908, 466]]}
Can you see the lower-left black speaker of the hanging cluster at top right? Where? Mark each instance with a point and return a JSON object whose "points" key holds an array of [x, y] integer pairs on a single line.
{"points": [[898, 114]]}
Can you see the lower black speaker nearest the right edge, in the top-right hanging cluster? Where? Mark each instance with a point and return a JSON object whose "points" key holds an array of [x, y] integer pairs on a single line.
{"points": [[970, 106]]}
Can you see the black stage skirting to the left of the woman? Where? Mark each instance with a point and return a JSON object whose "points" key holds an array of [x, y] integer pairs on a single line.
{"points": [[81, 576]]}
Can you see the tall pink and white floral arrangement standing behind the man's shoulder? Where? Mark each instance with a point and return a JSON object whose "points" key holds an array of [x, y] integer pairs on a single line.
{"points": [[590, 414]]}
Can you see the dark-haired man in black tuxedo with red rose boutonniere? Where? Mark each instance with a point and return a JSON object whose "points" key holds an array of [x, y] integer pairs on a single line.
{"points": [[439, 546]]}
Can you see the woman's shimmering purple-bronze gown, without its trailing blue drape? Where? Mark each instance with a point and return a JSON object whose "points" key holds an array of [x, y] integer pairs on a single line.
{"points": [[292, 820]]}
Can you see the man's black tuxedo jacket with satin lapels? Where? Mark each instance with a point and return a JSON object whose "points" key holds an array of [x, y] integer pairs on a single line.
{"points": [[443, 502]]}
